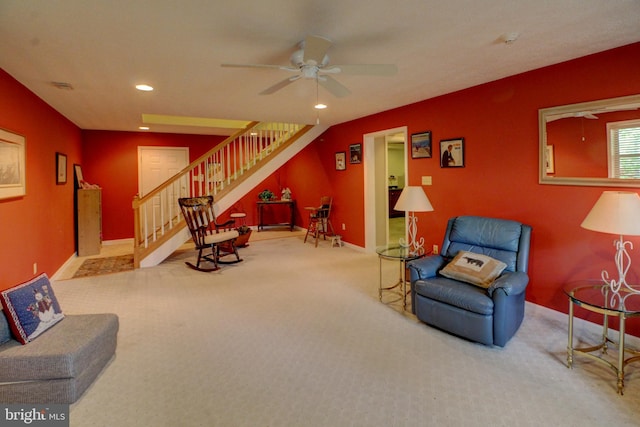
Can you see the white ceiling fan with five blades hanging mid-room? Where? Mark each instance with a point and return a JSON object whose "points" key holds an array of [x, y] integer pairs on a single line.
{"points": [[311, 61]]}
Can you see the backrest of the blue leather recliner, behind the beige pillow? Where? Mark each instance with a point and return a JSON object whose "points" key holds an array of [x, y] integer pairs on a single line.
{"points": [[505, 240]]}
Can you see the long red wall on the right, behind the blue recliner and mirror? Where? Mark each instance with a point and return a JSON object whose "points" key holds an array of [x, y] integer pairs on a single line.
{"points": [[499, 121]]}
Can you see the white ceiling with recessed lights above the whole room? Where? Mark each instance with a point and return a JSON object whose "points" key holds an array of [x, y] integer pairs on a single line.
{"points": [[103, 48]]}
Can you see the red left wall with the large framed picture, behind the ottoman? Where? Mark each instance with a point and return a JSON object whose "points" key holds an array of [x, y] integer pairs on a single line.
{"points": [[37, 228]]}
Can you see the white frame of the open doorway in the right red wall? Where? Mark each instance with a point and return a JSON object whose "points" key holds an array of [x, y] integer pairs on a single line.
{"points": [[374, 175]]}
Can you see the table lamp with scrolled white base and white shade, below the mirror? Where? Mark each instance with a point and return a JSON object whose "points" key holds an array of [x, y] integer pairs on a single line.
{"points": [[617, 212]]}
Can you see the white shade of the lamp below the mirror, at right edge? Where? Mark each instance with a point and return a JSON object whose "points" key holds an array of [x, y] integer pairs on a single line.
{"points": [[615, 212]]}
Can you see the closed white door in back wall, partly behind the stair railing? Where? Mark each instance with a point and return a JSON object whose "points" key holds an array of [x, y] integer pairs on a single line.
{"points": [[155, 166]]}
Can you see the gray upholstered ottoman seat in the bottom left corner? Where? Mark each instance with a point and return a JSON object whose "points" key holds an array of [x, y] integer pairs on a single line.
{"points": [[59, 365]]}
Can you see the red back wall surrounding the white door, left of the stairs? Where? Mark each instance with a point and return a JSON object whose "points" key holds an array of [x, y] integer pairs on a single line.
{"points": [[110, 159]]}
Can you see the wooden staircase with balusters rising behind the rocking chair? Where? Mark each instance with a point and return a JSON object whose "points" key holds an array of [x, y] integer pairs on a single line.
{"points": [[228, 172]]}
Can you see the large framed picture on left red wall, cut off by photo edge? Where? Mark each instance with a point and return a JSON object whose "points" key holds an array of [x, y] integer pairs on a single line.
{"points": [[12, 165]]}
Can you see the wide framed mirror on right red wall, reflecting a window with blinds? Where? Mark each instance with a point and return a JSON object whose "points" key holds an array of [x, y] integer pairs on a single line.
{"points": [[593, 143]]}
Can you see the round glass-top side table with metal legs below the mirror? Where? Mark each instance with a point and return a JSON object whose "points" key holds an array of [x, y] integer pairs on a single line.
{"points": [[596, 296]]}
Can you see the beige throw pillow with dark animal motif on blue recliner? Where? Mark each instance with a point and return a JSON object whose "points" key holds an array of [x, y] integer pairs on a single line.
{"points": [[477, 269]]}
